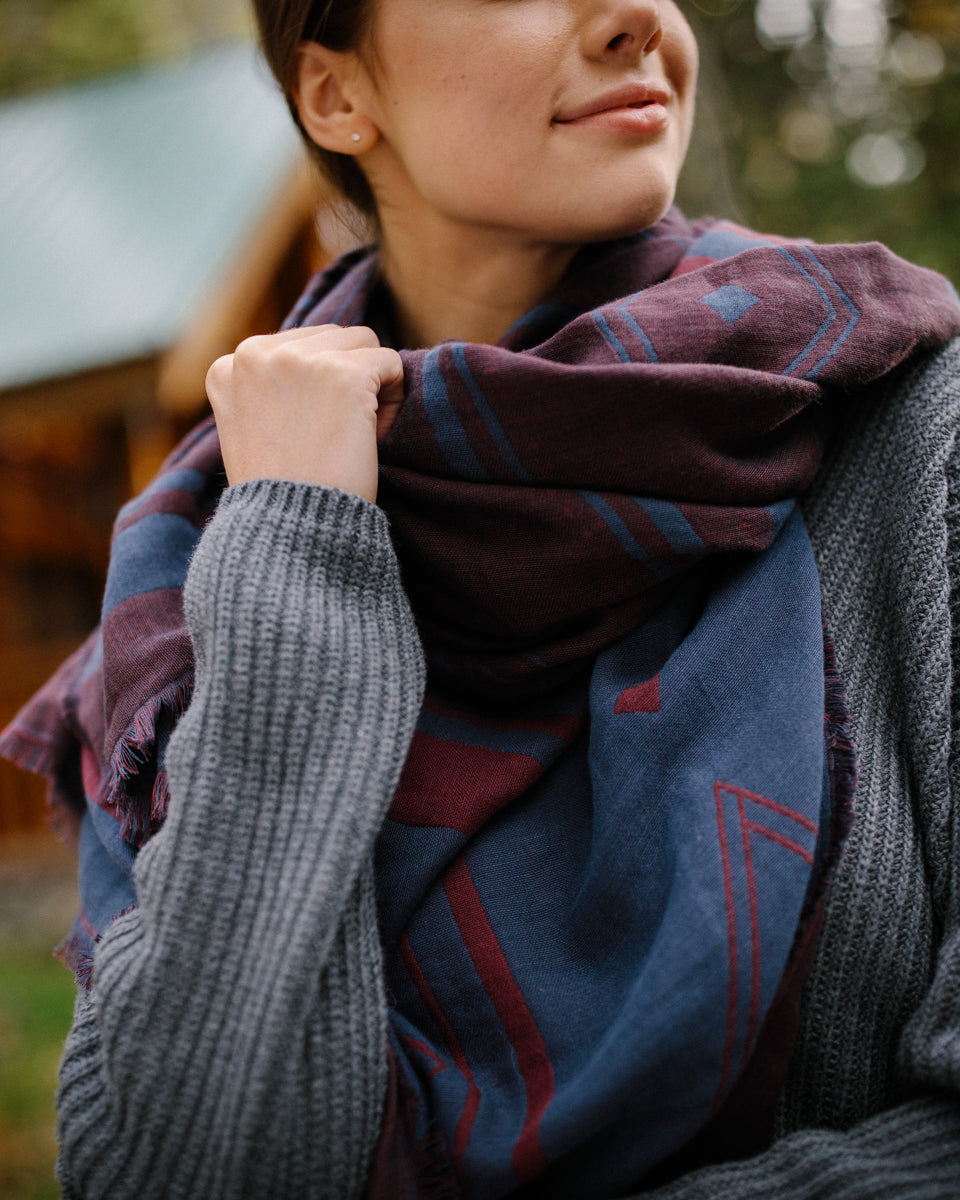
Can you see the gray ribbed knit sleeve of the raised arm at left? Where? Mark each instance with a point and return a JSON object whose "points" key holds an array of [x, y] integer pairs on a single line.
{"points": [[233, 1043]]}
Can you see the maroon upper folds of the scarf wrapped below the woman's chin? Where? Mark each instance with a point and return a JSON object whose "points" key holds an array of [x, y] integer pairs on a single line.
{"points": [[705, 388]]}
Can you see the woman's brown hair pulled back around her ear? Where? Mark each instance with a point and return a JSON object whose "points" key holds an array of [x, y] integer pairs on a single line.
{"points": [[338, 25]]}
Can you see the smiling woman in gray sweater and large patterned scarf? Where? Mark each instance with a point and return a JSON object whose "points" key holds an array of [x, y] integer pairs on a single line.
{"points": [[609, 944]]}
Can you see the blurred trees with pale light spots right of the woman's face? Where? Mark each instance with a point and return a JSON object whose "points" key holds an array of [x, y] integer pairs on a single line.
{"points": [[836, 119]]}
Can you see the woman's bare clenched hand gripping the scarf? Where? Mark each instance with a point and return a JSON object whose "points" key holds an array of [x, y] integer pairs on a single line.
{"points": [[307, 405]]}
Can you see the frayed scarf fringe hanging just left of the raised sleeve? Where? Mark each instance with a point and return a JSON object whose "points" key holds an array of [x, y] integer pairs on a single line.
{"points": [[141, 815]]}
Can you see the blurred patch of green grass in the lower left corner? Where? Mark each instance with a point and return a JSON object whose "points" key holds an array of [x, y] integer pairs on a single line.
{"points": [[37, 1004]]}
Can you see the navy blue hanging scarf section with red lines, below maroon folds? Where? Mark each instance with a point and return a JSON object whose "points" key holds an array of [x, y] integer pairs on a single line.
{"points": [[589, 910]]}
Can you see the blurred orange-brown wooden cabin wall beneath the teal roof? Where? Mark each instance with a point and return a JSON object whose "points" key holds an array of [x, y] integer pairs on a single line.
{"points": [[65, 470]]}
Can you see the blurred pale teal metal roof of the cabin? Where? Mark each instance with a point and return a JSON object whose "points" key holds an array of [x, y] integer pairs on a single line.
{"points": [[124, 201]]}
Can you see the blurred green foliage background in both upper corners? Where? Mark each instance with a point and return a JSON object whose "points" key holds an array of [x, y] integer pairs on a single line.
{"points": [[831, 119]]}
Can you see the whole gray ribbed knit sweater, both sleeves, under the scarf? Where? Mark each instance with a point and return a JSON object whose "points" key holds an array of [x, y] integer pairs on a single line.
{"points": [[233, 1043]]}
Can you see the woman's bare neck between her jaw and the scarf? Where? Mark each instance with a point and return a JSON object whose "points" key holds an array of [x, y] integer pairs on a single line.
{"points": [[465, 285]]}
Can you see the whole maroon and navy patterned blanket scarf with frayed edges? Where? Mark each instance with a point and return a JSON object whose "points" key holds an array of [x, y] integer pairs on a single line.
{"points": [[599, 875]]}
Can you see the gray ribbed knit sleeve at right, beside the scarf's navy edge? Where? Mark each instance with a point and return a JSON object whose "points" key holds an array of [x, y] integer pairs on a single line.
{"points": [[873, 1101]]}
